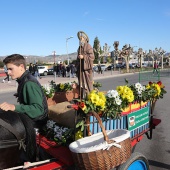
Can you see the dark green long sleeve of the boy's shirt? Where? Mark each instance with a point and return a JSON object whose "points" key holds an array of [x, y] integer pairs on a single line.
{"points": [[33, 99]]}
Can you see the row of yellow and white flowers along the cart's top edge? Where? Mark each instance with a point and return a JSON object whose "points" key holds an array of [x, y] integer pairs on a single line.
{"points": [[115, 101]]}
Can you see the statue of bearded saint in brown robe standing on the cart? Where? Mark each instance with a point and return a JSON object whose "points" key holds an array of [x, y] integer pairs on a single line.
{"points": [[84, 63]]}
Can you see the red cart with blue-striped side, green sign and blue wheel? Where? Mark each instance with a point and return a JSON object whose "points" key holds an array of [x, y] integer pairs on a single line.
{"points": [[60, 157]]}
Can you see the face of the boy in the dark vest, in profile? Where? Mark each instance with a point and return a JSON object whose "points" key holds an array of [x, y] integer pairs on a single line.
{"points": [[15, 71]]}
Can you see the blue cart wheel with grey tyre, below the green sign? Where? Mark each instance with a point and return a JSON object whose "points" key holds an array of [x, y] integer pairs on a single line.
{"points": [[137, 161]]}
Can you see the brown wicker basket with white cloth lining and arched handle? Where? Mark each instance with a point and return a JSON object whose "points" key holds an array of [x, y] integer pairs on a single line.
{"points": [[104, 150]]}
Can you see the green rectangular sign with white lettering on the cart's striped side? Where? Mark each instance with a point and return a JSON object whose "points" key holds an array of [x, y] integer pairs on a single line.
{"points": [[138, 118]]}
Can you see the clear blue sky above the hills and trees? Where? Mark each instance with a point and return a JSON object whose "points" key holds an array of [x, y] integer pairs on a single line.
{"points": [[38, 27]]}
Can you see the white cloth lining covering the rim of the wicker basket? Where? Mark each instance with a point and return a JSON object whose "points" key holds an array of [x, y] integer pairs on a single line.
{"points": [[97, 142]]}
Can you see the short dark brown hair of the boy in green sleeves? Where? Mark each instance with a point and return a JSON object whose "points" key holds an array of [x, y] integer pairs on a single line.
{"points": [[15, 59]]}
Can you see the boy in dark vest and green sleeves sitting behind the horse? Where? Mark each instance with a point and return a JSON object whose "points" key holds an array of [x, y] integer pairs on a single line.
{"points": [[31, 99]]}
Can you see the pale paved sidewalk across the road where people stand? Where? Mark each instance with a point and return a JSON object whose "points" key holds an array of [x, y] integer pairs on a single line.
{"points": [[7, 87]]}
